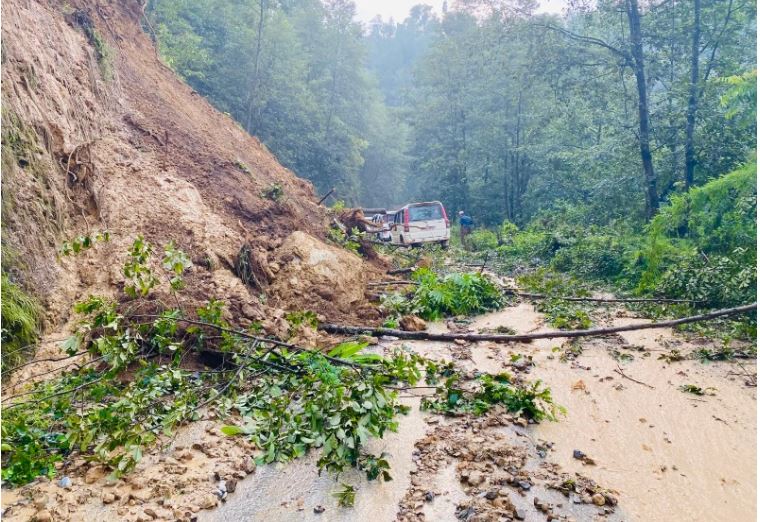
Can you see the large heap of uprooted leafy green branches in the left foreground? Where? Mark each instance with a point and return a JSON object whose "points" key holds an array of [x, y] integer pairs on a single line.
{"points": [[142, 367]]}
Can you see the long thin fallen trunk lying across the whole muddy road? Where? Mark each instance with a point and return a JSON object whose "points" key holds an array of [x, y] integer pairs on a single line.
{"points": [[428, 336]]}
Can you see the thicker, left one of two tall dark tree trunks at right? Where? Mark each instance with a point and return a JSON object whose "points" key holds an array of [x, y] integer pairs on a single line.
{"points": [[637, 52]]}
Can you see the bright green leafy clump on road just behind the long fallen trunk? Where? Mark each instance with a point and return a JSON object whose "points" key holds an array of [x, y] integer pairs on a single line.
{"points": [[453, 294]]}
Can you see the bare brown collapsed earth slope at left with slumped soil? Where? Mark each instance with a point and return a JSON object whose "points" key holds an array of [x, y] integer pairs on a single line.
{"points": [[99, 135]]}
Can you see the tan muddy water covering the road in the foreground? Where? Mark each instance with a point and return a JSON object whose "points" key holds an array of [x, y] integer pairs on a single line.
{"points": [[668, 455]]}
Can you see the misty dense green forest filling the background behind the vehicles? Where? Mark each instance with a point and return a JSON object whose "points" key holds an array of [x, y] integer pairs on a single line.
{"points": [[610, 109]]}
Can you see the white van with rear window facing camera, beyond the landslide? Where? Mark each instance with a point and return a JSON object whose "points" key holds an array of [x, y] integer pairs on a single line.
{"points": [[419, 223]]}
